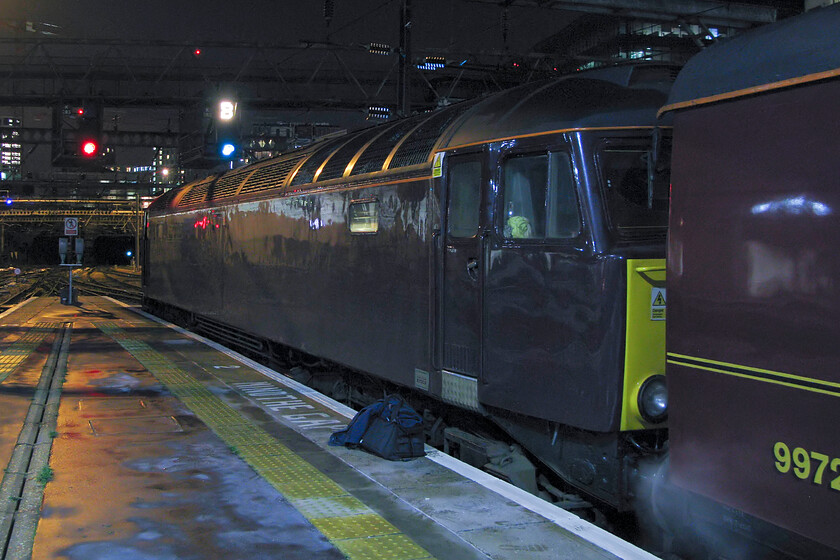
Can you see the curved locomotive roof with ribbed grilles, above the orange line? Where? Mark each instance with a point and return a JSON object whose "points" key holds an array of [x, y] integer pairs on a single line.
{"points": [[616, 99]]}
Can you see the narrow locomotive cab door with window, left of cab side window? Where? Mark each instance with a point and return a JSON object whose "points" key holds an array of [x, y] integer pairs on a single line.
{"points": [[460, 285]]}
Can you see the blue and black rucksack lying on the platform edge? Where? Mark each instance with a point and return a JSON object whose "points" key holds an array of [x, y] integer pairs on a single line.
{"points": [[389, 428]]}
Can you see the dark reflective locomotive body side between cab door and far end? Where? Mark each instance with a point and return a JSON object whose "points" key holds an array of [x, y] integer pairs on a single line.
{"points": [[289, 270]]}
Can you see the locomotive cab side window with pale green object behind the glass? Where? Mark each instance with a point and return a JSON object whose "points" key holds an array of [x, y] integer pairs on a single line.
{"points": [[540, 200]]}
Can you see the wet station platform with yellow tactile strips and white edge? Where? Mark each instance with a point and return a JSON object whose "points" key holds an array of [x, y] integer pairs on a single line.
{"points": [[126, 437]]}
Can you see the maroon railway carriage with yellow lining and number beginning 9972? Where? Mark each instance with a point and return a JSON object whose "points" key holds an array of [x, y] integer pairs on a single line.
{"points": [[753, 338]]}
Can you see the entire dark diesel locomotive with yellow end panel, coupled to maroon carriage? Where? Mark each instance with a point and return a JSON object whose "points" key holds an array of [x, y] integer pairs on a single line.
{"points": [[493, 286]]}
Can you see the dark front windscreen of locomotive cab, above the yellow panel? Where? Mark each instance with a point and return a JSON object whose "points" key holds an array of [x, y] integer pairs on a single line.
{"points": [[636, 186]]}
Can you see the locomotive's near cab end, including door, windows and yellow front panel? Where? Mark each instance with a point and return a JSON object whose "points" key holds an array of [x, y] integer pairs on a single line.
{"points": [[551, 296]]}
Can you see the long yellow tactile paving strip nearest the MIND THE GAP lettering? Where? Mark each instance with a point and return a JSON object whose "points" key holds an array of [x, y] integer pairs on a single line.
{"points": [[355, 529]]}
